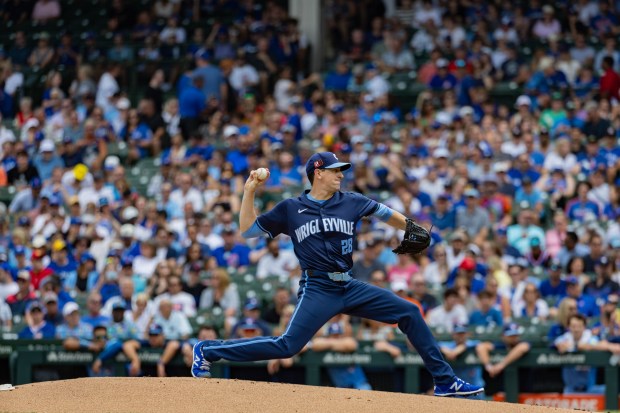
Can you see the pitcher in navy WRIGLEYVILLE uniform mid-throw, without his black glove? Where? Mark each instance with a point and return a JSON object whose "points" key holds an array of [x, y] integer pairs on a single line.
{"points": [[322, 223]]}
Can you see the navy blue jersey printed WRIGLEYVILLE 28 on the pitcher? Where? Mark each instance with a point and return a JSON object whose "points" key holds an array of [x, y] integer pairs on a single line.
{"points": [[322, 233]]}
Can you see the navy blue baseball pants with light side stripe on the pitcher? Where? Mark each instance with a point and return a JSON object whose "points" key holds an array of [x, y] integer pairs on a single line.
{"points": [[319, 299]]}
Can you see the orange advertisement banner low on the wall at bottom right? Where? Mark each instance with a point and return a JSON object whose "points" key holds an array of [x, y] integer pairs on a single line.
{"points": [[588, 402]]}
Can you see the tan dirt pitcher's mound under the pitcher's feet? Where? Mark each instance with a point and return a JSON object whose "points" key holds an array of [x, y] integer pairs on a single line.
{"points": [[223, 396]]}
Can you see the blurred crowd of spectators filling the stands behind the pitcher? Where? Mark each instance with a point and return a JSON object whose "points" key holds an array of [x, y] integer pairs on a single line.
{"points": [[521, 194]]}
